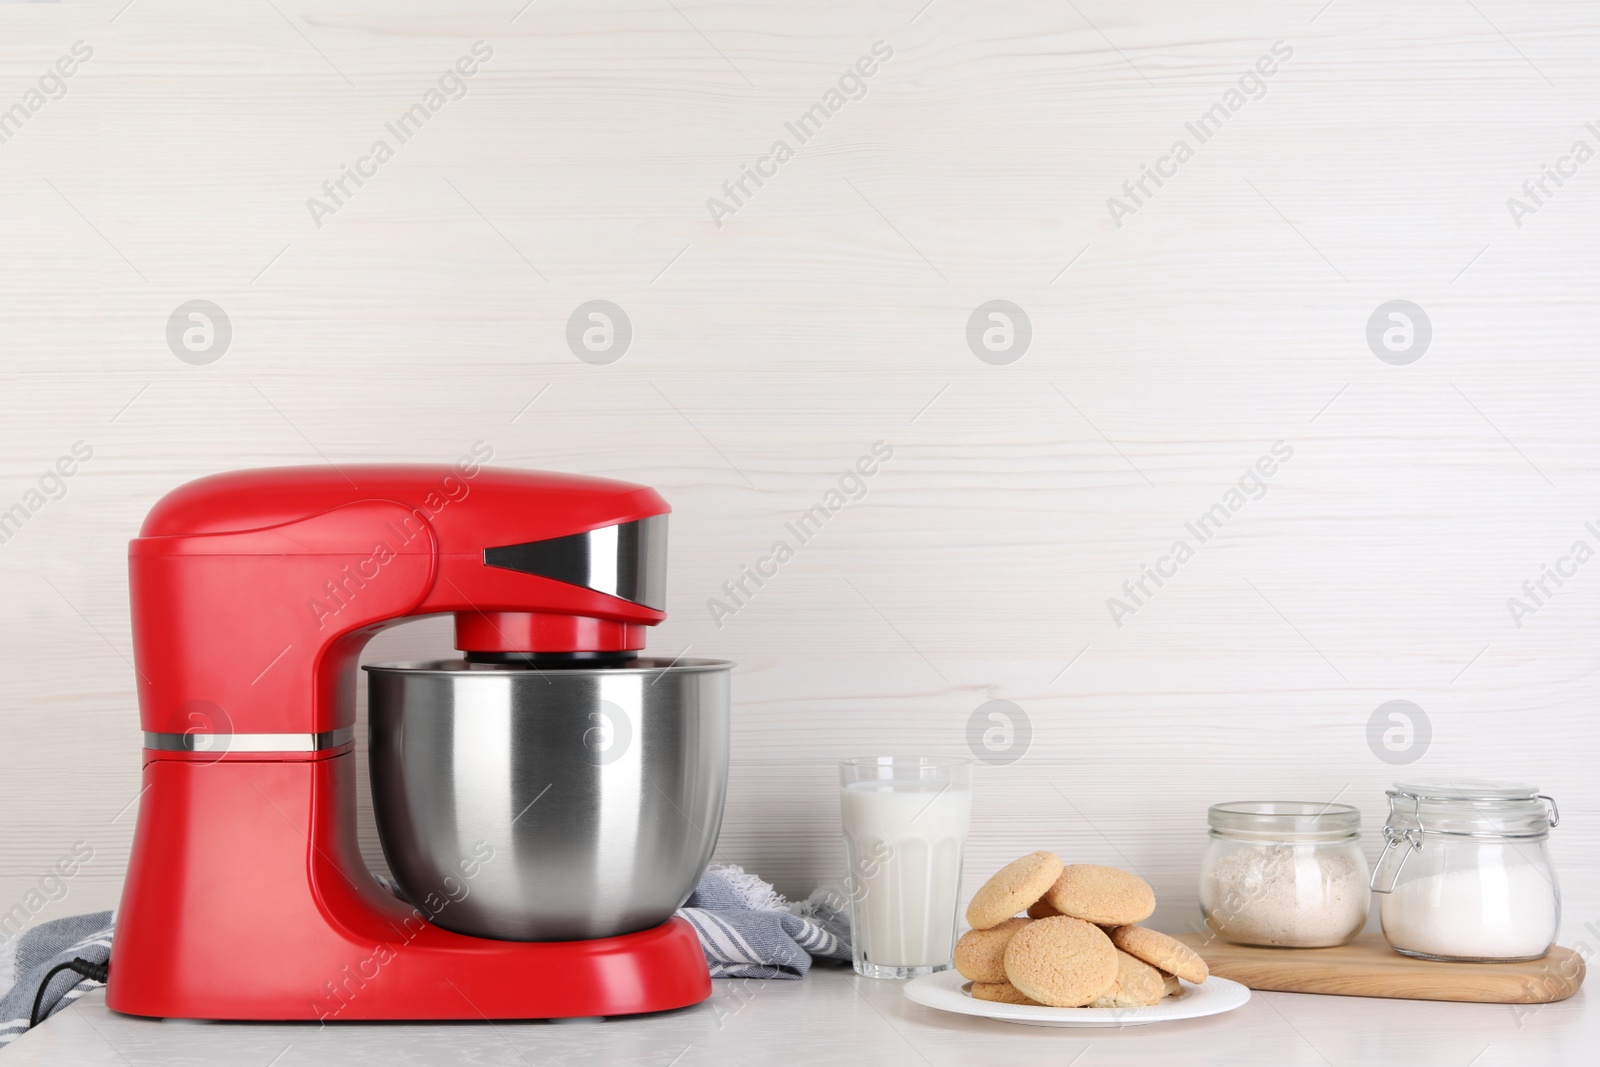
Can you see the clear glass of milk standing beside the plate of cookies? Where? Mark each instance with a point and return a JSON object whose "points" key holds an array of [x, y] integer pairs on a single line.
{"points": [[905, 823]]}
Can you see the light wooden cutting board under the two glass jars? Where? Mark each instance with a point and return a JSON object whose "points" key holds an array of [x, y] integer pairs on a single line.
{"points": [[1369, 967]]}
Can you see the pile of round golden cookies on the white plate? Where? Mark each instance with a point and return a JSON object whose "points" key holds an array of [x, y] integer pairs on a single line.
{"points": [[1079, 946]]}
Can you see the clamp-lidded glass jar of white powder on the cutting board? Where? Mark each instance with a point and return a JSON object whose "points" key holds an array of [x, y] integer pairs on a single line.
{"points": [[1466, 871]]}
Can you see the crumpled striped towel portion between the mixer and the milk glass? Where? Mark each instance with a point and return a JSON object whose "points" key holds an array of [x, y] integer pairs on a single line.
{"points": [[750, 930]]}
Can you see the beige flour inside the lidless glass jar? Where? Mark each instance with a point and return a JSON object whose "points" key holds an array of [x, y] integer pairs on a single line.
{"points": [[1286, 897]]}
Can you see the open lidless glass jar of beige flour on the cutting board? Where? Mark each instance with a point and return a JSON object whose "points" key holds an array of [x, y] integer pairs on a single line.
{"points": [[1286, 874]]}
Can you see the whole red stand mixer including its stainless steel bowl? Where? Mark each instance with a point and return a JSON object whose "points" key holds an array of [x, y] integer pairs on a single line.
{"points": [[546, 801]]}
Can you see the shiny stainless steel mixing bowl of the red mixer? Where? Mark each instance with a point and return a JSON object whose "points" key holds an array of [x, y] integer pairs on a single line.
{"points": [[548, 805]]}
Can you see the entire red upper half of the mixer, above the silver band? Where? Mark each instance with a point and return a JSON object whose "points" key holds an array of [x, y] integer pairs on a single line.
{"points": [[234, 572]]}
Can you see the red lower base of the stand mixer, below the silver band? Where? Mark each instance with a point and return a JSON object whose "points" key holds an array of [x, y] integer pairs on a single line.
{"points": [[247, 900]]}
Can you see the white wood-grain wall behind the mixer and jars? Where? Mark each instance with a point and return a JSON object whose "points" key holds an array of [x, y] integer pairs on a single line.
{"points": [[1169, 353]]}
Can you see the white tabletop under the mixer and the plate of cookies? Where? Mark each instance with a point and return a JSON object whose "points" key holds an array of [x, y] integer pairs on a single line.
{"points": [[836, 1018]]}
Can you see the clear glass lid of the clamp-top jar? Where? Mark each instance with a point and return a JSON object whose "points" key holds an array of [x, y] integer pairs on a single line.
{"points": [[1470, 807]]}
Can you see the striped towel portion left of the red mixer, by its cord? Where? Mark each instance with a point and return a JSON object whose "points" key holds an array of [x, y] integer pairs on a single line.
{"points": [[30, 957]]}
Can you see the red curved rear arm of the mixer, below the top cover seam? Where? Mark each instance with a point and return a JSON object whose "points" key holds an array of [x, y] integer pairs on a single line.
{"points": [[258, 633]]}
